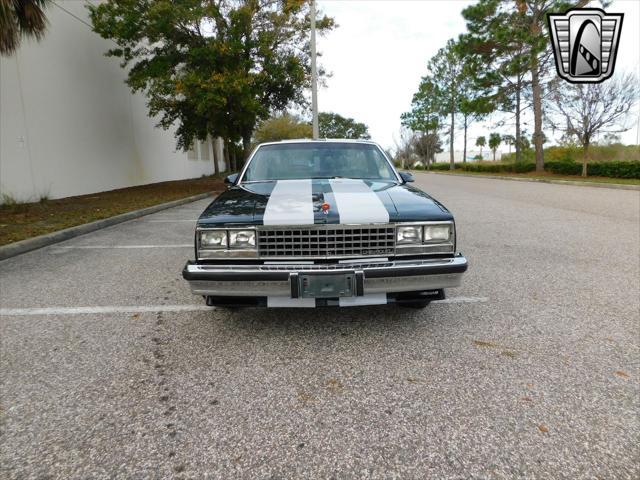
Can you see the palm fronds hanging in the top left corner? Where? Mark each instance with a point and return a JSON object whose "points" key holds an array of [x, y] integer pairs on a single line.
{"points": [[18, 19]]}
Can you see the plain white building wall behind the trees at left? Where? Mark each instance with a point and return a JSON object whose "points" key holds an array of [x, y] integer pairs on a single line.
{"points": [[69, 125]]}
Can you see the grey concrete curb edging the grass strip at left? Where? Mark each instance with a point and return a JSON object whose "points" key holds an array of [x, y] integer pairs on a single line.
{"points": [[23, 246]]}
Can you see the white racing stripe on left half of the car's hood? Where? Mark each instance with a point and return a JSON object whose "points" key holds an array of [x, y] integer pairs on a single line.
{"points": [[290, 203]]}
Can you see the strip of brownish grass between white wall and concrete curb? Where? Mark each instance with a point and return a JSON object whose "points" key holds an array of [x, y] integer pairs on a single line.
{"points": [[25, 220]]}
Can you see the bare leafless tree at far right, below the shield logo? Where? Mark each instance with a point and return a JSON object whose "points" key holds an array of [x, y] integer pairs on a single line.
{"points": [[584, 110]]}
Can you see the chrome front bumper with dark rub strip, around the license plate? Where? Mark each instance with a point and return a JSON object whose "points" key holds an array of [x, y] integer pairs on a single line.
{"points": [[280, 280]]}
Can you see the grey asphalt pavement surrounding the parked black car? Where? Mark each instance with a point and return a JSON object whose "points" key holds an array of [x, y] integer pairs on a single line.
{"points": [[110, 368]]}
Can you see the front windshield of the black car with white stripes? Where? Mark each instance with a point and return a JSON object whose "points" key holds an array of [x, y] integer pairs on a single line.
{"points": [[318, 160]]}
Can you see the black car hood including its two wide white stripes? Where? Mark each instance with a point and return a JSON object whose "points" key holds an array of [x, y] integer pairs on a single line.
{"points": [[300, 202]]}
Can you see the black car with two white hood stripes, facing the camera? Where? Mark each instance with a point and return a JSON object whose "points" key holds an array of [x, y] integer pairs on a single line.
{"points": [[323, 223]]}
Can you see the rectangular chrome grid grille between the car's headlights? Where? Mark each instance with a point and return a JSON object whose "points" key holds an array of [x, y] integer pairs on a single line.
{"points": [[326, 241]]}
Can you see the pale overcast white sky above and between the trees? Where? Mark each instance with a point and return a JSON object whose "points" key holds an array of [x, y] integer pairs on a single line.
{"points": [[379, 52]]}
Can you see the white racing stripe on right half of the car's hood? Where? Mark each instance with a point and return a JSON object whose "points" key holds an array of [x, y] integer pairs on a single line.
{"points": [[357, 203]]}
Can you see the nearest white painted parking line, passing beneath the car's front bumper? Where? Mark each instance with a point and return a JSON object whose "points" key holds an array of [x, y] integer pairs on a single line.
{"points": [[155, 308]]}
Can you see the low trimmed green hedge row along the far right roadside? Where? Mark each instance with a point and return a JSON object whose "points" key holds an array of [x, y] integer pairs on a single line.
{"points": [[596, 169]]}
